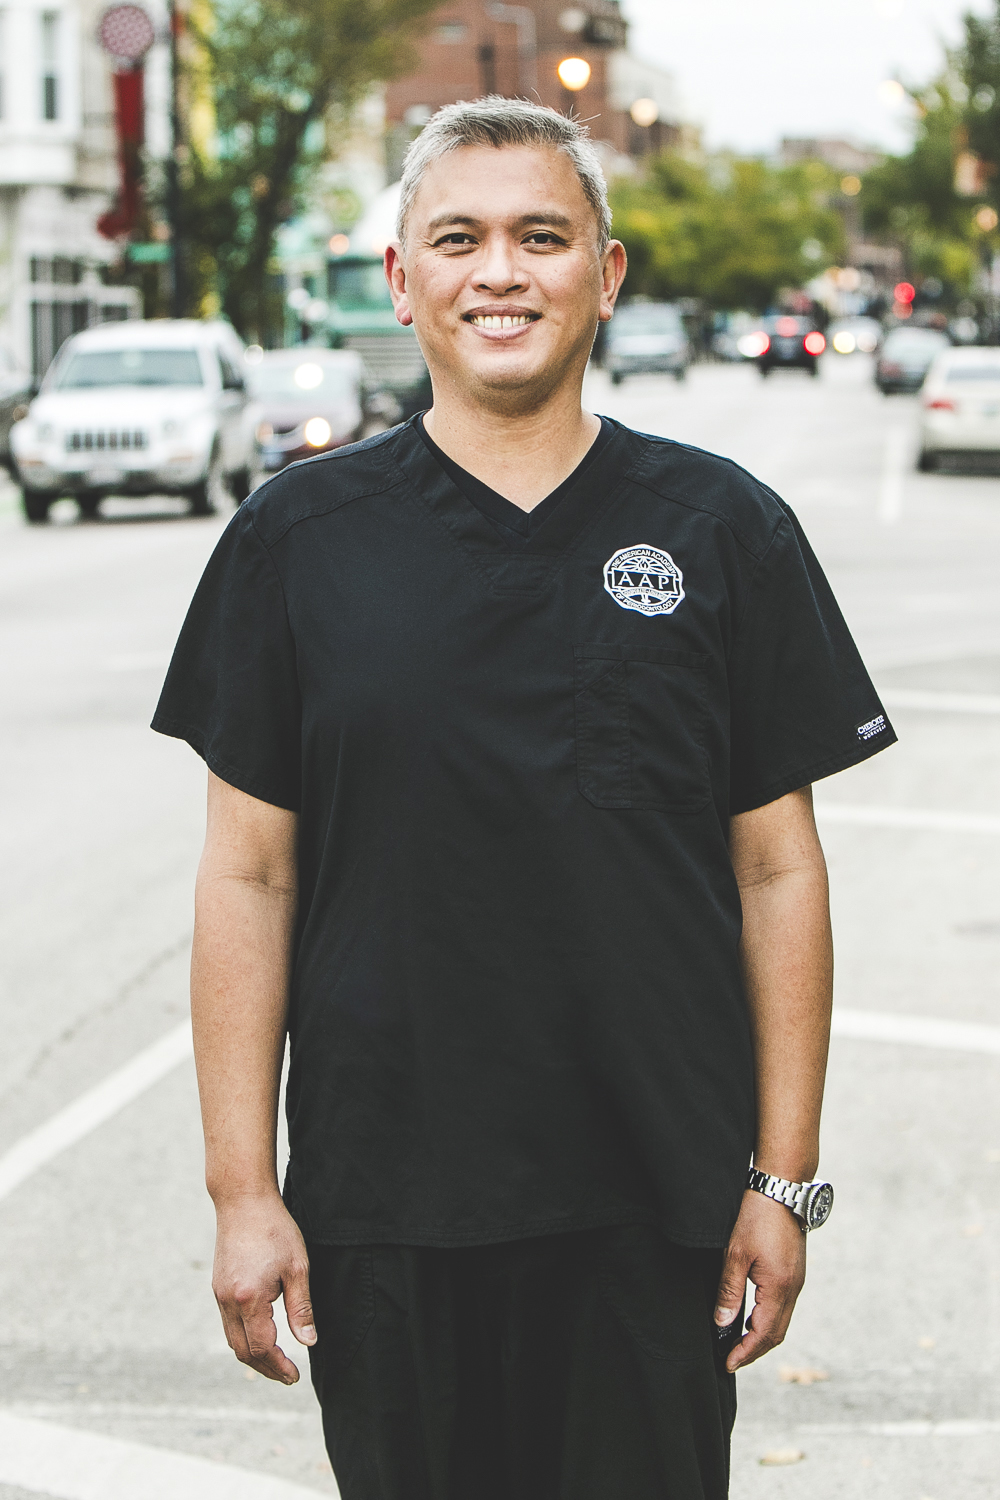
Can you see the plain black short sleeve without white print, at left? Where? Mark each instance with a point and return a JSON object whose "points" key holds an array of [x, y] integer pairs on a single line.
{"points": [[232, 689]]}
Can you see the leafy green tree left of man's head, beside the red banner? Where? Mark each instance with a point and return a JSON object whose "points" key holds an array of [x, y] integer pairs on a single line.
{"points": [[283, 79]]}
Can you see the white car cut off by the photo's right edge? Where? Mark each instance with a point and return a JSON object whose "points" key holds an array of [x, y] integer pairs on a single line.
{"points": [[960, 407]]}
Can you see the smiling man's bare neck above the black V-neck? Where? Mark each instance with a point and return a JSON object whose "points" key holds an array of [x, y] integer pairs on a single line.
{"points": [[521, 454]]}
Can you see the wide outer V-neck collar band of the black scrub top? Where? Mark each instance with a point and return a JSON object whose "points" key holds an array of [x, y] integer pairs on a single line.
{"points": [[524, 569]]}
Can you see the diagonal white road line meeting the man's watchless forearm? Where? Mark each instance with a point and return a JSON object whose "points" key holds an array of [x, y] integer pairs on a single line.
{"points": [[94, 1109]]}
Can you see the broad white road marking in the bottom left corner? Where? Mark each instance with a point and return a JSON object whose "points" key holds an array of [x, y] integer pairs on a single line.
{"points": [[71, 1465]]}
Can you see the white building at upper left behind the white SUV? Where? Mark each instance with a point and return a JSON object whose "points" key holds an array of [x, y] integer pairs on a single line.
{"points": [[59, 173]]}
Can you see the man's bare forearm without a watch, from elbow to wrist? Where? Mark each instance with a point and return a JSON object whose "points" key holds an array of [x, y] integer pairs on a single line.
{"points": [[241, 973]]}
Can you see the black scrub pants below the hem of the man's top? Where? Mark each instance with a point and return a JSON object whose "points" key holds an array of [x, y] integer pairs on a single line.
{"points": [[573, 1367]]}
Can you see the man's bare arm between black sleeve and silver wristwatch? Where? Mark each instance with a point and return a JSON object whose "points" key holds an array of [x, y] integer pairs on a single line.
{"points": [[788, 965]]}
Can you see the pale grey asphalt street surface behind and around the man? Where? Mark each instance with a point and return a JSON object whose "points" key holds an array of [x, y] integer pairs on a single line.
{"points": [[115, 1378]]}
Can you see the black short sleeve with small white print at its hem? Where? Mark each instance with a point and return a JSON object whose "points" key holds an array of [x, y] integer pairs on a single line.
{"points": [[803, 704]]}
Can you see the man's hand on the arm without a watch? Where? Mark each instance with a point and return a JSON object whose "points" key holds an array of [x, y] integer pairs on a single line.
{"points": [[262, 1256]]}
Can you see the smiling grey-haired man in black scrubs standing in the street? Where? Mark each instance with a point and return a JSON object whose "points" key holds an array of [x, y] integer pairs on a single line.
{"points": [[512, 718]]}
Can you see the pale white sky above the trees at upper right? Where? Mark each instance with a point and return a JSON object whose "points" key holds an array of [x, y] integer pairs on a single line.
{"points": [[752, 71]]}
